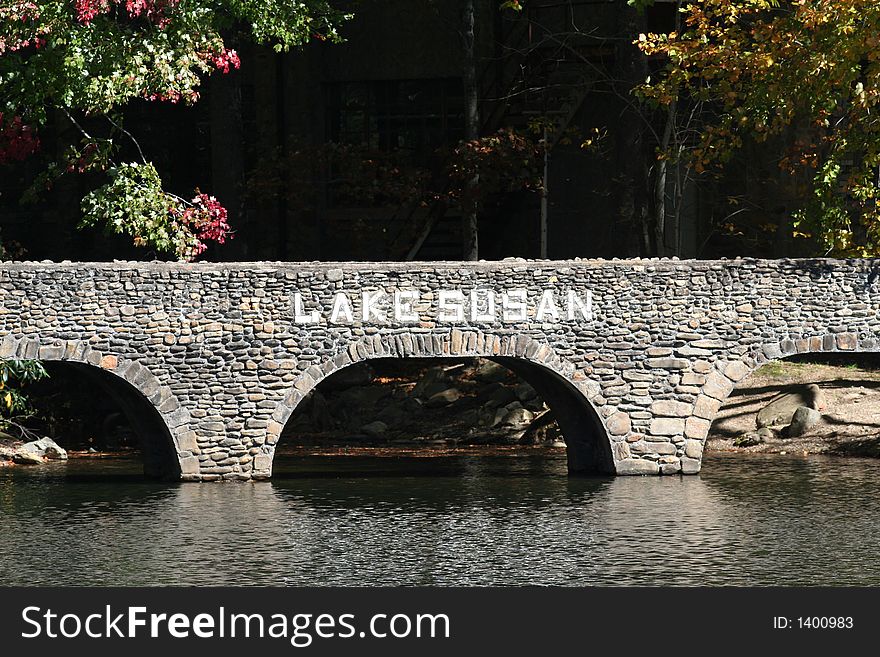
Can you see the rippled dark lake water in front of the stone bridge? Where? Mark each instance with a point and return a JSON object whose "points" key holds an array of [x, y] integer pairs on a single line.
{"points": [[481, 519]]}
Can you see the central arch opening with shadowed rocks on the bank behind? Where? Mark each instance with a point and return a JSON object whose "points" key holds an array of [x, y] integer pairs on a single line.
{"points": [[437, 402]]}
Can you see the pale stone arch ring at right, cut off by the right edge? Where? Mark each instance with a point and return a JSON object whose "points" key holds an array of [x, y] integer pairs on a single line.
{"points": [[723, 378]]}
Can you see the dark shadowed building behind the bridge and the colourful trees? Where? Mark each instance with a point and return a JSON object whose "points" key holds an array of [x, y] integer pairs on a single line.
{"points": [[327, 152]]}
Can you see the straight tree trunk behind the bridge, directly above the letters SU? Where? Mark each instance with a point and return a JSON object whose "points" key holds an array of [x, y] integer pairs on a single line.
{"points": [[470, 233]]}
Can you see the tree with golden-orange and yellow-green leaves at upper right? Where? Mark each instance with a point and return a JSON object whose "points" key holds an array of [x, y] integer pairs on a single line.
{"points": [[804, 74]]}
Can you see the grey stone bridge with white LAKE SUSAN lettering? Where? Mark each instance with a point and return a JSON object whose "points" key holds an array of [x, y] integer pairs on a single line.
{"points": [[635, 357]]}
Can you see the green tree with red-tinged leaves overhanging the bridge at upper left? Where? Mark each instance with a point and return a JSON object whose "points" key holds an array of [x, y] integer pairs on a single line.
{"points": [[86, 59]]}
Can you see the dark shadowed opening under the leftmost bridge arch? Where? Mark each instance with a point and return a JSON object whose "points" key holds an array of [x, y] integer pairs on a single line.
{"points": [[88, 410]]}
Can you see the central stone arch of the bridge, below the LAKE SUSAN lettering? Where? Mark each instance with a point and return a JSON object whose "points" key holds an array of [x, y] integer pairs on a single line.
{"points": [[564, 387]]}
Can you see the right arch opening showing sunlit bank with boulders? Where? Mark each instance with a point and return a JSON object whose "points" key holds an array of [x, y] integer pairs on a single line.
{"points": [[803, 404]]}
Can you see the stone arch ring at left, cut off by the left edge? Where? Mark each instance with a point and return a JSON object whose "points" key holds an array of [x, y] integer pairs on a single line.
{"points": [[167, 457]]}
